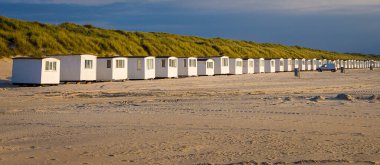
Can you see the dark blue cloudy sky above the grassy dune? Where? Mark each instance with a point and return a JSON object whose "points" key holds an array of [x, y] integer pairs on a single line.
{"points": [[335, 25]]}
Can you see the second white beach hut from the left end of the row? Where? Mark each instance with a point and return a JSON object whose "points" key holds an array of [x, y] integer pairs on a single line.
{"points": [[76, 68]]}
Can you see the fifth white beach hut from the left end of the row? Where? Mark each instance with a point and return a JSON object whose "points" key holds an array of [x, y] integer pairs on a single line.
{"points": [[166, 67]]}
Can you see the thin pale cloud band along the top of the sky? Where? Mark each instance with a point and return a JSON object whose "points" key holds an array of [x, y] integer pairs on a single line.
{"points": [[288, 6]]}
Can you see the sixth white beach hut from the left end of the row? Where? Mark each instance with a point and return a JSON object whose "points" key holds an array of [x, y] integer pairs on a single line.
{"points": [[187, 67]]}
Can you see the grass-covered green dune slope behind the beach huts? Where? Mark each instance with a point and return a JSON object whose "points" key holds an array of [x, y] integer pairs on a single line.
{"points": [[37, 39]]}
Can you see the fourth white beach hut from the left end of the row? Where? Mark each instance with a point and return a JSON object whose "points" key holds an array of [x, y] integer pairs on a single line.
{"points": [[141, 67]]}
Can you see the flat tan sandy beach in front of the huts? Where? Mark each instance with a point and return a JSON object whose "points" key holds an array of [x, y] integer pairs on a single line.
{"points": [[239, 119]]}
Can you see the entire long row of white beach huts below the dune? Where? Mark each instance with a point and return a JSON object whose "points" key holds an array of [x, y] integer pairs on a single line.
{"points": [[87, 68]]}
